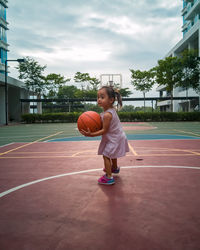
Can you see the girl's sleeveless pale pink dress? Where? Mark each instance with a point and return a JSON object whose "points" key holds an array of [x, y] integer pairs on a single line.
{"points": [[114, 143]]}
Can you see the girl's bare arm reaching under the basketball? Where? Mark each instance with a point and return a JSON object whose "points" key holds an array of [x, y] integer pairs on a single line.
{"points": [[106, 124]]}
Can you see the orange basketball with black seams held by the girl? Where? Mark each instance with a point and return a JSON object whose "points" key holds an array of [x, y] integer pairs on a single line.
{"points": [[91, 120]]}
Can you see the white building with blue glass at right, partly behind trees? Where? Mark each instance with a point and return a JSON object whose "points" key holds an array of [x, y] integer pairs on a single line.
{"points": [[190, 40]]}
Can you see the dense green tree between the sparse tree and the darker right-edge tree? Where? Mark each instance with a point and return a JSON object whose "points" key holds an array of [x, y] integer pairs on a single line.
{"points": [[168, 74]]}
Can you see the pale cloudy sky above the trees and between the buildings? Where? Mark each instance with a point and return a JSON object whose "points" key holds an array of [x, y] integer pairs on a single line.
{"points": [[93, 36]]}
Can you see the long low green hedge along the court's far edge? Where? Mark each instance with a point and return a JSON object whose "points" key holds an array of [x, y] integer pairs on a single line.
{"points": [[124, 117]]}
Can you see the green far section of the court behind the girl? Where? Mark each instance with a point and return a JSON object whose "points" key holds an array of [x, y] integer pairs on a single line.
{"points": [[58, 131]]}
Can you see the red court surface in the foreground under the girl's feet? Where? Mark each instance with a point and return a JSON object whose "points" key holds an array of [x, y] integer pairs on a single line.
{"points": [[50, 199]]}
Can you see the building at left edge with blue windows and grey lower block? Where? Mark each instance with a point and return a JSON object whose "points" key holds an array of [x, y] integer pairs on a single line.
{"points": [[16, 88]]}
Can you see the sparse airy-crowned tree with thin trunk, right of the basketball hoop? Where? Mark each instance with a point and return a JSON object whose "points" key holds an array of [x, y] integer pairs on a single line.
{"points": [[142, 81]]}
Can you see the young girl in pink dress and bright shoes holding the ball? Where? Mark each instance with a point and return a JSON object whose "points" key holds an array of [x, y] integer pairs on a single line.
{"points": [[114, 143]]}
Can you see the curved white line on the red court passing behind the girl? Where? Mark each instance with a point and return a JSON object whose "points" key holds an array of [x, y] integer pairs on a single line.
{"points": [[82, 172]]}
